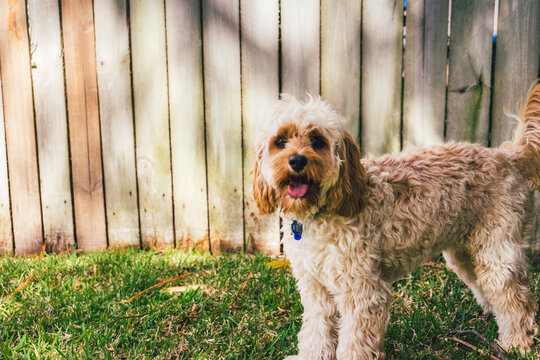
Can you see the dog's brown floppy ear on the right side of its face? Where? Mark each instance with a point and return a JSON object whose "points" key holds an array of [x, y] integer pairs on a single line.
{"points": [[346, 197]]}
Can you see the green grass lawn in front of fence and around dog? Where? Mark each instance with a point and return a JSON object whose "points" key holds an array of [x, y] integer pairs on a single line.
{"points": [[72, 309]]}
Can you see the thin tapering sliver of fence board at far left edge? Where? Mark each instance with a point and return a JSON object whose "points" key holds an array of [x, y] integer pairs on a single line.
{"points": [[6, 239]]}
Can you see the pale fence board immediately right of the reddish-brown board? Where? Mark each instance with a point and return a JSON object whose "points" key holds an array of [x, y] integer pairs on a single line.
{"points": [[113, 72]]}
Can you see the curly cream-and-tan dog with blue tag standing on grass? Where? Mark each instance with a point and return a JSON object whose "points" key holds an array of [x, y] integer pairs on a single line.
{"points": [[352, 225]]}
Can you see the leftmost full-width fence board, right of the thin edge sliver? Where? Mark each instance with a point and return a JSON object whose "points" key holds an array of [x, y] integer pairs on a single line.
{"points": [[20, 130]]}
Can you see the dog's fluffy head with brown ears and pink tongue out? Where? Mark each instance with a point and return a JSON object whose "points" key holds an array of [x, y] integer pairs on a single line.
{"points": [[307, 161]]}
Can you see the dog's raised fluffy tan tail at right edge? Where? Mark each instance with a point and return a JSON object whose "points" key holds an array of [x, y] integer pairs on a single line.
{"points": [[527, 138]]}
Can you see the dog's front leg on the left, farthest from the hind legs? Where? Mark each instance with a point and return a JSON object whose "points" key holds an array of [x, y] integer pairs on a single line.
{"points": [[317, 339]]}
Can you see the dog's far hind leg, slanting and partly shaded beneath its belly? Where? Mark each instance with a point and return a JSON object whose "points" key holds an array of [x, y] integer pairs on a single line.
{"points": [[460, 261]]}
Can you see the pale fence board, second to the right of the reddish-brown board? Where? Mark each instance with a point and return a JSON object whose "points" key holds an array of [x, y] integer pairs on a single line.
{"points": [[152, 122]]}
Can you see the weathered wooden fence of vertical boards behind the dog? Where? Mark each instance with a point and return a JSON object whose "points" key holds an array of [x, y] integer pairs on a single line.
{"points": [[130, 122]]}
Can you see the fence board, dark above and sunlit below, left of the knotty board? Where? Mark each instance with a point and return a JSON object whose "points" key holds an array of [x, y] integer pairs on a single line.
{"points": [[425, 72]]}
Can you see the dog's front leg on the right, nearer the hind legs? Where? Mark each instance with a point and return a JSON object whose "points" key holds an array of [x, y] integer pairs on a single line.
{"points": [[365, 313]]}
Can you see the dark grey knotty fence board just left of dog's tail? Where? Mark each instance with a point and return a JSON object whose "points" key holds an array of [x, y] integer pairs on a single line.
{"points": [[469, 79]]}
